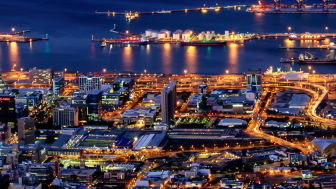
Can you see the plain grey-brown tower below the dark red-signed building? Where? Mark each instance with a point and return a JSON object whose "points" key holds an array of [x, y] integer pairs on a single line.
{"points": [[26, 130]]}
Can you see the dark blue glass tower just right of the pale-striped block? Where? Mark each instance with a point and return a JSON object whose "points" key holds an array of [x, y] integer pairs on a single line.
{"points": [[94, 105]]}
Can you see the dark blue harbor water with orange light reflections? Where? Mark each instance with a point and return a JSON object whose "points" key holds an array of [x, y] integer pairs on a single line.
{"points": [[71, 24]]}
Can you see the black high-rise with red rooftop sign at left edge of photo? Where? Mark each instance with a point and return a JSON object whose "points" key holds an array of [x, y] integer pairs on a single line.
{"points": [[7, 109]]}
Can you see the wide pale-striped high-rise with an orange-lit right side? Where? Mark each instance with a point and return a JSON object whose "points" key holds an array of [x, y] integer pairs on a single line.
{"points": [[65, 115]]}
